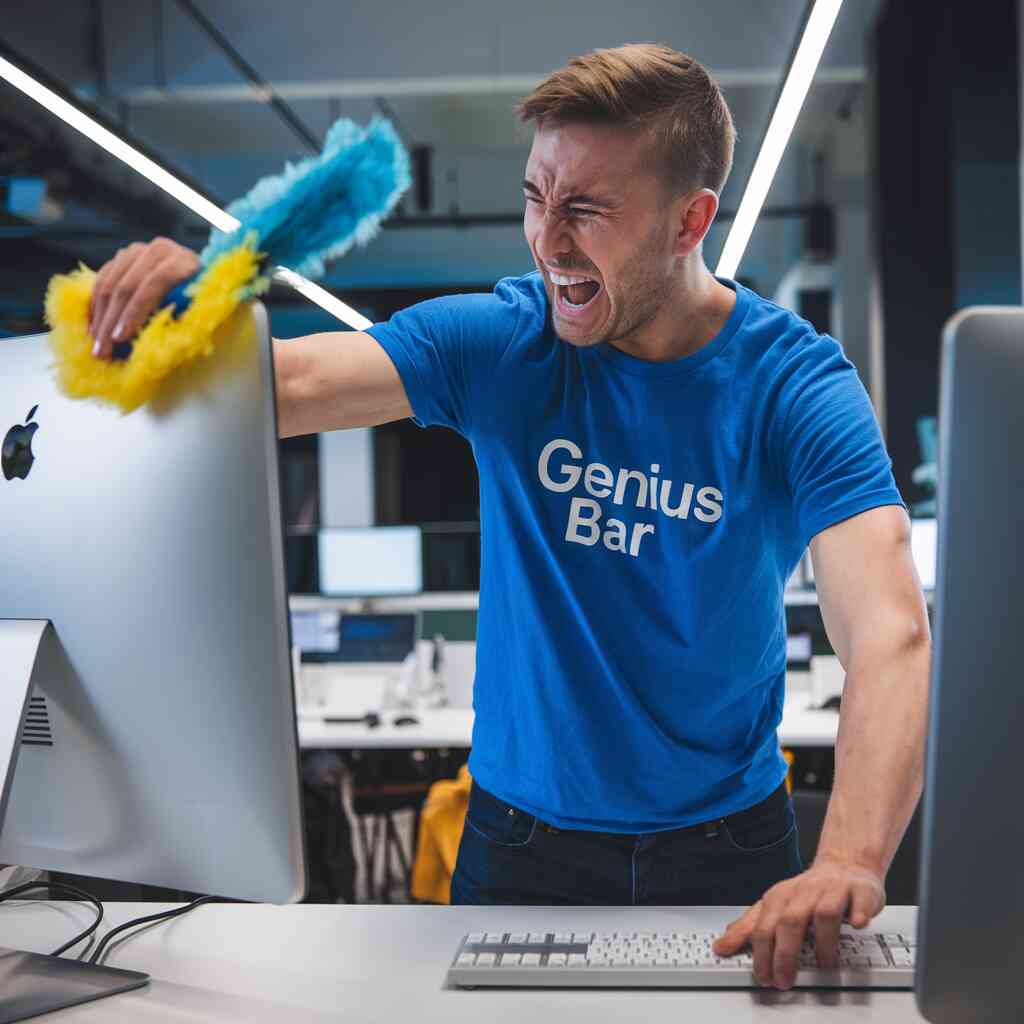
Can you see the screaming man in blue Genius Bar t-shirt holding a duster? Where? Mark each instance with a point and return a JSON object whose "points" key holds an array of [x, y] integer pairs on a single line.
{"points": [[657, 449]]}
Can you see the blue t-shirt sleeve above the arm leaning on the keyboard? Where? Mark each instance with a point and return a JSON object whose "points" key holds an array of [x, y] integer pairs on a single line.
{"points": [[831, 449]]}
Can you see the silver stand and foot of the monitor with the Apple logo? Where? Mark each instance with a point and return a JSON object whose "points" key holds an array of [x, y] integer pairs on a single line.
{"points": [[34, 984]]}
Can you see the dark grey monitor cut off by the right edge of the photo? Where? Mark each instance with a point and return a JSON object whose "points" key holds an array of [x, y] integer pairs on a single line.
{"points": [[971, 927]]}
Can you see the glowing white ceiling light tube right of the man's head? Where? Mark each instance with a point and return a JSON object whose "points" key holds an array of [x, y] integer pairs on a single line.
{"points": [[798, 82]]}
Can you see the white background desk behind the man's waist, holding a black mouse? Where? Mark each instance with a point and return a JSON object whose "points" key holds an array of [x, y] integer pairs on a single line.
{"points": [[454, 728]]}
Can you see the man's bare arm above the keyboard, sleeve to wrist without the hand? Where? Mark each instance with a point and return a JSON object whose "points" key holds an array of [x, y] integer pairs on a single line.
{"points": [[877, 621]]}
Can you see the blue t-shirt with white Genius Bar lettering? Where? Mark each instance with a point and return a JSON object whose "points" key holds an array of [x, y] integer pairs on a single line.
{"points": [[639, 522]]}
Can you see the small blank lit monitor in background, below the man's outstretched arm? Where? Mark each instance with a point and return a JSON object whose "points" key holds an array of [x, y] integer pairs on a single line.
{"points": [[372, 562]]}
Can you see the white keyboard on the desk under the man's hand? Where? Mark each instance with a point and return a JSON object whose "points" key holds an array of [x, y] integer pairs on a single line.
{"points": [[678, 960]]}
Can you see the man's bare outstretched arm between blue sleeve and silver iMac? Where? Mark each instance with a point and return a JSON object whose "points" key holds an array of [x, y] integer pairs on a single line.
{"points": [[335, 380]]}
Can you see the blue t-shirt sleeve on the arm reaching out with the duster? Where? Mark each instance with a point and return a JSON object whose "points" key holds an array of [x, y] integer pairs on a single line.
{"points": [[446, 351]]}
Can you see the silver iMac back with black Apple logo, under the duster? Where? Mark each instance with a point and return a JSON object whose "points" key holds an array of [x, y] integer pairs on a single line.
{"points": [[160, 744]]}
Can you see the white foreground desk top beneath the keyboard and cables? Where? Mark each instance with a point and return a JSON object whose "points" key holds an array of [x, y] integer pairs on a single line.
{"points": [[319, 964]]}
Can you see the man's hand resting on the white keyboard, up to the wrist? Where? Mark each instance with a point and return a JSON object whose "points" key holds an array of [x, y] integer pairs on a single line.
{"points": [[826, 895]]}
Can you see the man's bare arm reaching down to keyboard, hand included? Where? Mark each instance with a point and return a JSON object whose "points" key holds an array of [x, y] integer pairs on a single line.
{"points": [[877, 621]]}
